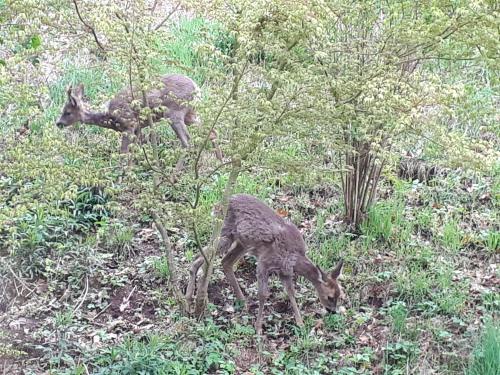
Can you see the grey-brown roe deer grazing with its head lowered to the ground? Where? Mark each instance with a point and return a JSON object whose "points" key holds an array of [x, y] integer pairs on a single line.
{"points": [[253, 228]]}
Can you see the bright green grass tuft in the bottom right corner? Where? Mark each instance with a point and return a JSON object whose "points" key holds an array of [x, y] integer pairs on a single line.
{"points": [[486, 356]]}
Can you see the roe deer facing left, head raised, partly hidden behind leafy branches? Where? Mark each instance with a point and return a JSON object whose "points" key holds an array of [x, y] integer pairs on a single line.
{"points": [[170, 101]]}
